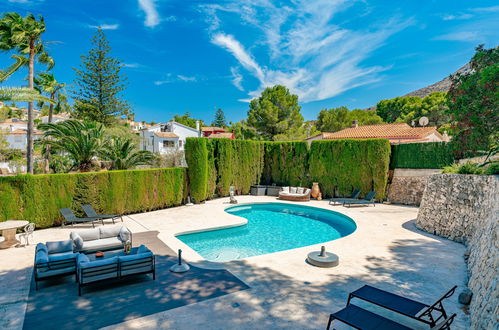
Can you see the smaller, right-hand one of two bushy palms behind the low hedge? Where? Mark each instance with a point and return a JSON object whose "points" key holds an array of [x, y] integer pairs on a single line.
{"points": [[123, 154]]}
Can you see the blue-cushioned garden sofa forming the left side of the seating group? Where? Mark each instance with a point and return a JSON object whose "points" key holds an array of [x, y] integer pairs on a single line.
{"points": [[54, 259]]}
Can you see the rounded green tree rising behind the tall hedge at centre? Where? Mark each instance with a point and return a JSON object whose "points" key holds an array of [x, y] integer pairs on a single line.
{"points": [[275, 115]]}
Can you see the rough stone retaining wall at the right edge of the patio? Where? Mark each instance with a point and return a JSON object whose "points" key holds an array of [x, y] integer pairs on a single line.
{"points": [[465, 208]]}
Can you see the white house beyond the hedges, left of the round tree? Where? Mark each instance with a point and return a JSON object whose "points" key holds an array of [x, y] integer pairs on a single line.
{"points": [[166, 138]]}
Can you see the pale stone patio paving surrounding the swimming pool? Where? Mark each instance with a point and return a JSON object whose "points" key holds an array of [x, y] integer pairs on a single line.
{"points": [[386, 251]]}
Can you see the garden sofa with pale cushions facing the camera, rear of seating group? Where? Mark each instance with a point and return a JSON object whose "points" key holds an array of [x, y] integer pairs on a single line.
{"points": [[99, 239]]}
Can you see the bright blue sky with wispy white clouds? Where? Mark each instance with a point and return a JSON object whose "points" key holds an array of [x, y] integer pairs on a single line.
{"points": [[200, 55]]}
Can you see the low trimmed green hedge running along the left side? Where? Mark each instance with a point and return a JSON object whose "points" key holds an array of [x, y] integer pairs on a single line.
{"points": [[38, 198]]}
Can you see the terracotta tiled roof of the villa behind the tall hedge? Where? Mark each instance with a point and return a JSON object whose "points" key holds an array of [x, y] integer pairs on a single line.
{"points": [[387, 131]]}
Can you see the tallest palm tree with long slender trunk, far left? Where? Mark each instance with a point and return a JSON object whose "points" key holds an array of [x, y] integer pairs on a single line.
{"points": [[24, 35]]}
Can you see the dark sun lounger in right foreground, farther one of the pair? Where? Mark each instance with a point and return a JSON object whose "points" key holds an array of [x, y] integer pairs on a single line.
{"points": [[408, 307]]}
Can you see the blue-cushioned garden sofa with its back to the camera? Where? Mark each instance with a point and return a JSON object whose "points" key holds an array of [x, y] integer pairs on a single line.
{"points": [[139, 261]]}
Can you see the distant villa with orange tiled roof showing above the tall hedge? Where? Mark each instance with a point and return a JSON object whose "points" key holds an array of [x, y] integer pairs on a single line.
{"points": [[395, 133]]}
